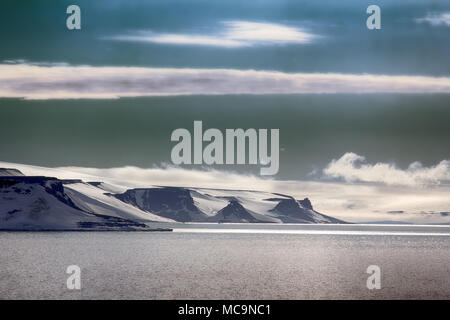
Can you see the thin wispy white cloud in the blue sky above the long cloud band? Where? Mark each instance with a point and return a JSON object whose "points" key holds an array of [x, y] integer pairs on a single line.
{"points": [[235, 34]]}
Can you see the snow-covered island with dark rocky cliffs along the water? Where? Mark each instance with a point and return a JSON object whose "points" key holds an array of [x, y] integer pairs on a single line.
{"points": [[44, 203]]}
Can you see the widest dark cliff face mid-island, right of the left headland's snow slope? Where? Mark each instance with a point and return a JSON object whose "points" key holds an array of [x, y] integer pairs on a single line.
{"points": [[169, 202]]}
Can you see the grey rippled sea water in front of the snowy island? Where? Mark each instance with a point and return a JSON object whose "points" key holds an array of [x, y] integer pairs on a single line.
{"points": [[229, 262]]}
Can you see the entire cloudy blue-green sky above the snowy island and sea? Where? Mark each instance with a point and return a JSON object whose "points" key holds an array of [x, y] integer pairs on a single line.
{"points": [[354, 106]]}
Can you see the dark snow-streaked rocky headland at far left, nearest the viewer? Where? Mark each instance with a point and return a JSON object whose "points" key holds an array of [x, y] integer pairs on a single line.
{"points": [[41, 204]]}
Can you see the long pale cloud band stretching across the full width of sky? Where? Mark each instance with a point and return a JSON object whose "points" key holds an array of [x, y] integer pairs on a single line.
{"points": [[43, 81]]}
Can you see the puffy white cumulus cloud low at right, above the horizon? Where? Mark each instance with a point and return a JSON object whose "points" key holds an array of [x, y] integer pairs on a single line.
{"points": [[352, 168]]}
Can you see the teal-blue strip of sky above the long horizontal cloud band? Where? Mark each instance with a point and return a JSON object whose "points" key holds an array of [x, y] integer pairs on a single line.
{"points": [[413, 39]]}
